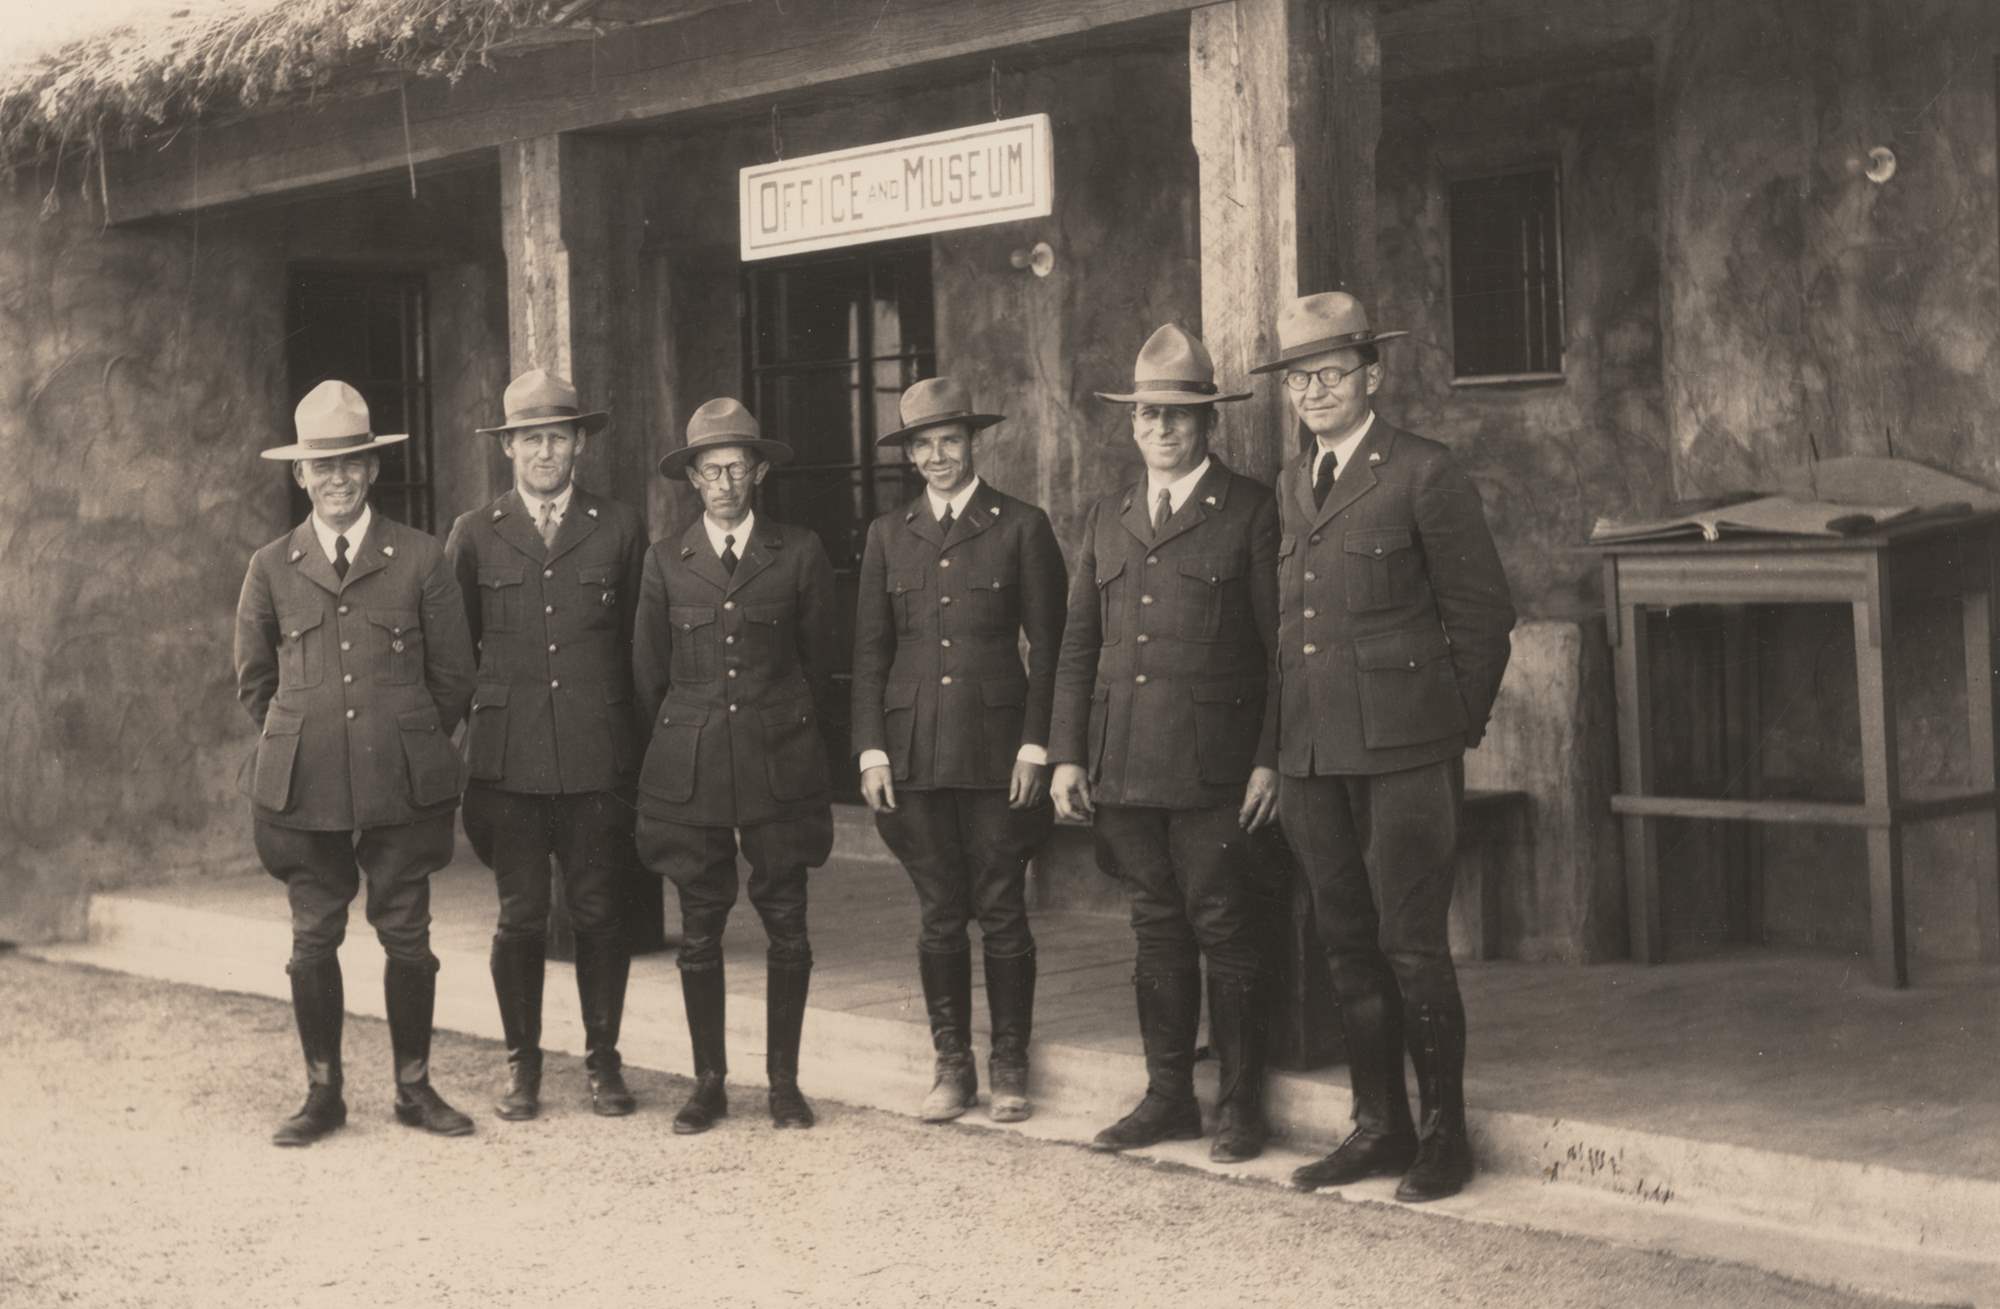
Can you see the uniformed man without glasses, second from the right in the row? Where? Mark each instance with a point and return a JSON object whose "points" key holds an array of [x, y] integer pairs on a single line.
{"points": [[1167, 730]]}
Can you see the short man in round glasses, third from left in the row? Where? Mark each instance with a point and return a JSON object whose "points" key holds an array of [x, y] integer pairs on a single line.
{"points": [[725, 666]]}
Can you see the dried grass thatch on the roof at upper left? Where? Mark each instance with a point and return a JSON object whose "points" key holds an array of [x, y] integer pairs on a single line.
{"points": [[169, 63]]}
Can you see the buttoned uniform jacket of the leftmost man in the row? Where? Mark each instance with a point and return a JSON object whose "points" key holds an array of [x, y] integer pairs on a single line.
{"points": [[355, 684]]}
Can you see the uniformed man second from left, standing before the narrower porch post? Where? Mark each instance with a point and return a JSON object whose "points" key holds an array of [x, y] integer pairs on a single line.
{"points": [[551, 581]]}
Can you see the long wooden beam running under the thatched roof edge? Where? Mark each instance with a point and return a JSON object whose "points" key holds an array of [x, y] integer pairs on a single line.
{"points": [[735, 55]]}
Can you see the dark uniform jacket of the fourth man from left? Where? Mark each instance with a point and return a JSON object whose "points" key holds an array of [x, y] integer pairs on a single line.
{"points": [[939, 678]]}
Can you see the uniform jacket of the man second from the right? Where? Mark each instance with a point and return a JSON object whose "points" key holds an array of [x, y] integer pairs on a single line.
{"points": [[1165, 690]]}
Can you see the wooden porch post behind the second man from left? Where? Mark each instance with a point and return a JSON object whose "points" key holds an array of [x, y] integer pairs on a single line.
{"points": [[571, 223]]}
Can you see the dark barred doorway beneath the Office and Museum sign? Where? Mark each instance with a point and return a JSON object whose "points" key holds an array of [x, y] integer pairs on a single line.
{"points": [[831, 341]]}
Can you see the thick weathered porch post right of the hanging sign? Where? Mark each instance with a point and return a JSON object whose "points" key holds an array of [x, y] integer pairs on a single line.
{"points": [[1287, 107]]}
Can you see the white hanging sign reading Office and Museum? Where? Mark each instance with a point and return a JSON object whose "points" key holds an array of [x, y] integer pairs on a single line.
{"points": [[939, 183]]}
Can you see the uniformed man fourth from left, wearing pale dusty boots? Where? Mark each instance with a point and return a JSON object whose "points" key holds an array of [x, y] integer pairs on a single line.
{"points": [[953, 736]]}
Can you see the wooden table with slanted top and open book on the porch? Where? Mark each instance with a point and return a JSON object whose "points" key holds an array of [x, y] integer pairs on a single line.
{"points": [[1951, 559]]}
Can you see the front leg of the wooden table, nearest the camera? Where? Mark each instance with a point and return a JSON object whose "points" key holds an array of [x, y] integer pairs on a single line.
{"points": [[1879, 778]]}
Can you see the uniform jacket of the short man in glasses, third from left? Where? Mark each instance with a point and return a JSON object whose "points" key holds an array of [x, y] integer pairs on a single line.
{"points": [[727, 672]]}
